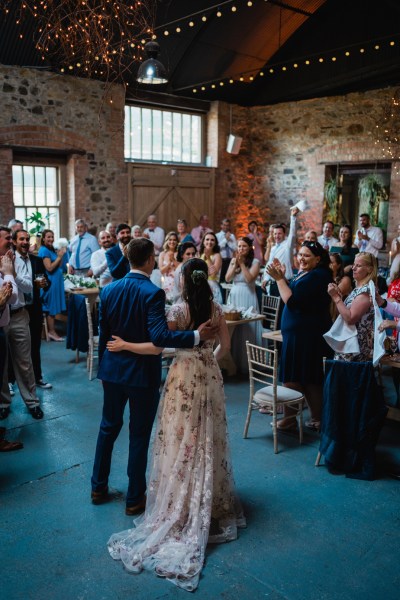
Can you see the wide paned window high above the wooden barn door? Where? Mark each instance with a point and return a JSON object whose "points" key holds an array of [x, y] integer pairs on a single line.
{"points": [[162, 135]]}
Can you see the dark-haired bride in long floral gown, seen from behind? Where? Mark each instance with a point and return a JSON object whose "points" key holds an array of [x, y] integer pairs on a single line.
{"points": [[191, 494]]}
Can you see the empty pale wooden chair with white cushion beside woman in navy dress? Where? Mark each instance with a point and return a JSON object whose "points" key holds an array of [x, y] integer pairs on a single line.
{"points": [[263, 370]]}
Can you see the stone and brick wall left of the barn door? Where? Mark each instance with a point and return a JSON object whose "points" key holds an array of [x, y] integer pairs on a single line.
{"points": [[51, 112]]}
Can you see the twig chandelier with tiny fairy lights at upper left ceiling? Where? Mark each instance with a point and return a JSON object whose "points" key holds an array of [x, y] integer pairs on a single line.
{"points": [[96, 38]]}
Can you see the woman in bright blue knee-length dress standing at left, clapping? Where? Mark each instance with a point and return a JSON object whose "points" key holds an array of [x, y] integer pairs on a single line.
{"points": [[54, 297]]}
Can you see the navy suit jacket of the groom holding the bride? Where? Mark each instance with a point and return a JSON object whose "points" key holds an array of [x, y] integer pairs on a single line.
{"points": [[133, 308]]}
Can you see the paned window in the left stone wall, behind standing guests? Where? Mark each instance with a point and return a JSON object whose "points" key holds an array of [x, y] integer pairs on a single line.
{"points": [[36, 188]]}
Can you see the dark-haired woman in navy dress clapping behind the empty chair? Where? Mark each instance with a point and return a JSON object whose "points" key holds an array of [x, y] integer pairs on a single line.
{"points": [[306, 317]]}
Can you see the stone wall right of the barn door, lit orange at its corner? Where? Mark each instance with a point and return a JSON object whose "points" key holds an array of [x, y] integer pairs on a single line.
{"points": [[284, 152]]}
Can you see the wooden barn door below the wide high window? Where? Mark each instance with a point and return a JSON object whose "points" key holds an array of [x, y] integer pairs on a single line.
{"points": [[171, 193]]}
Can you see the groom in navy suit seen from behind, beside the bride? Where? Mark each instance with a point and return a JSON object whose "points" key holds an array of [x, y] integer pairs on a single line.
{"points": [[133, 308]]}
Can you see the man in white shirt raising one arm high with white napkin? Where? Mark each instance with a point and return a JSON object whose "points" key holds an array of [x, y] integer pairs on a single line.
{"points": [[282, 251]]}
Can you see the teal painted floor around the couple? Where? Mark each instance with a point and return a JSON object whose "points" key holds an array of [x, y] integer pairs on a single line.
{"points": [[310, 535]]}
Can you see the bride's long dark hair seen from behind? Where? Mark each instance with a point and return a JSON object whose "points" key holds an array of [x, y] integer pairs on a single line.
{"points": [[196, 291]]}
